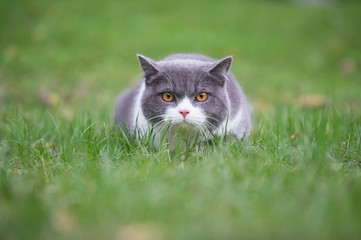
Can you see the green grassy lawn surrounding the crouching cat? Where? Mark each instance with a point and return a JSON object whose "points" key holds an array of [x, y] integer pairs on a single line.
{"points": [[66, 174]]}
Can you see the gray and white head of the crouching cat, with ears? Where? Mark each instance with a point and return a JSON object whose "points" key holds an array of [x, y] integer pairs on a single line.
{"points": [[185, 92]]}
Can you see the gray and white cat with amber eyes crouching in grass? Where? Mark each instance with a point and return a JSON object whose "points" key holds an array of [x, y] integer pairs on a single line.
{"points": [[191, 92]]}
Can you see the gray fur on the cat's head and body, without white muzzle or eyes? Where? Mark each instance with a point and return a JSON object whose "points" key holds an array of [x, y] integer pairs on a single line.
{"points": [[186, 75]]}
